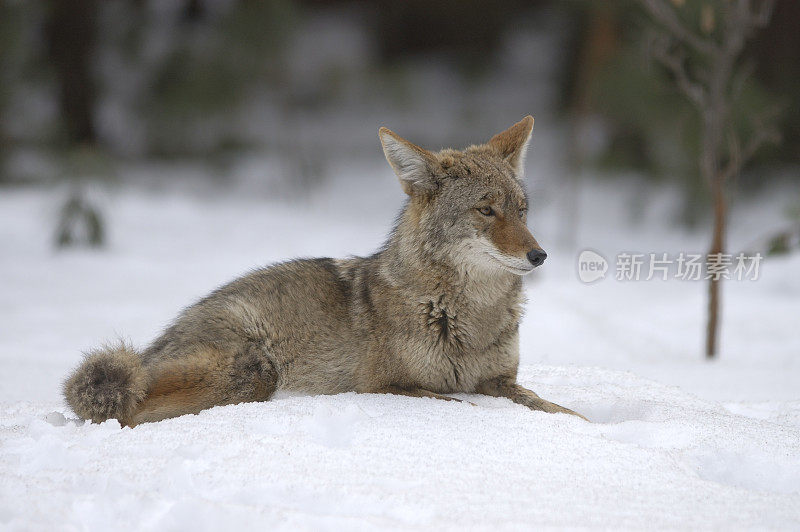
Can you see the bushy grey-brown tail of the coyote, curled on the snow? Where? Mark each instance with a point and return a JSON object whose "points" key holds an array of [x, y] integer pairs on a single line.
{"points": [[109, 383]]}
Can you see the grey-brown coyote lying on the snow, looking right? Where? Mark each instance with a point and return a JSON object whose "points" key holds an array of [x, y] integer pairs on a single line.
{"points": [[435, 311]]}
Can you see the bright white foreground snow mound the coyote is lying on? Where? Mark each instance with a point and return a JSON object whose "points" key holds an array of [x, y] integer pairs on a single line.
{"points": [[653, 457]]}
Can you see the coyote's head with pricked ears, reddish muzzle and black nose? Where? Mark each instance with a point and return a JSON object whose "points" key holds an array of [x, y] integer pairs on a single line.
{"points": [[468, 207]]}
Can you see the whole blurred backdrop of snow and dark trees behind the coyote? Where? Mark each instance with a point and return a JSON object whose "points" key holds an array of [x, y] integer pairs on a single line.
{"points": [[152, 149]]}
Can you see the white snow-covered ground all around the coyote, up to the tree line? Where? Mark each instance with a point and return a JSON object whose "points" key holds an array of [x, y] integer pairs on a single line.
{"points": [[675, 441]]}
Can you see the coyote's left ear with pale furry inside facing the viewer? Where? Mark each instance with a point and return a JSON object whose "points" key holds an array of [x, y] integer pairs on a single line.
{"points": [[413, 165]]}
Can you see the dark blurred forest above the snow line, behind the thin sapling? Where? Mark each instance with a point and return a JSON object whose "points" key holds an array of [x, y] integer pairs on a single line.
{"points": [[91, 89]]}
